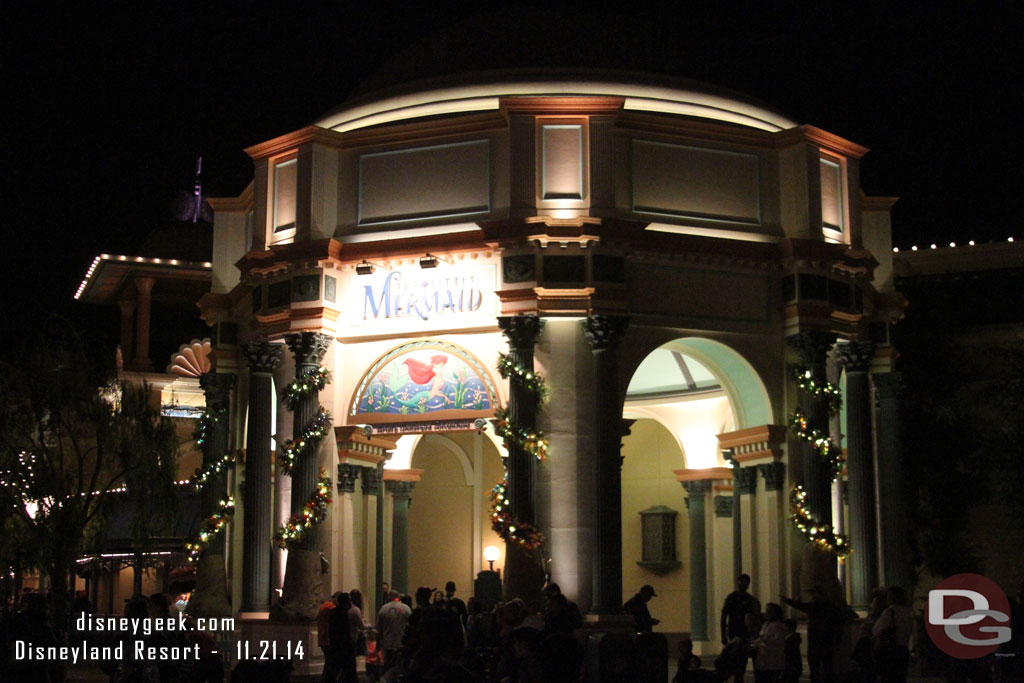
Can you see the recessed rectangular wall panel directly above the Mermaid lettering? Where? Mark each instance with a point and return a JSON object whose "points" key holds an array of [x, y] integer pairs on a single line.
{"points": [[425, 183]]}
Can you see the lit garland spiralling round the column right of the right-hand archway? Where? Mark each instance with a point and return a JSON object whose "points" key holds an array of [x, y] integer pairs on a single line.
{"points": [[823, 536]]}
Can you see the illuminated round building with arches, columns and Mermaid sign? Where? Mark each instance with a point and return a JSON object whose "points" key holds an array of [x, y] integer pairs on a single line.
{"points": [[662, 254]]}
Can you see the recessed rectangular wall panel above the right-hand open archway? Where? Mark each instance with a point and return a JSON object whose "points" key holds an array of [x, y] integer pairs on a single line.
{"points": [[696, 183]]}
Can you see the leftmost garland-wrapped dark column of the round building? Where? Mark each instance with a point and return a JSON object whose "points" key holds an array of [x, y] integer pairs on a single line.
{"points": [[210, 597]]}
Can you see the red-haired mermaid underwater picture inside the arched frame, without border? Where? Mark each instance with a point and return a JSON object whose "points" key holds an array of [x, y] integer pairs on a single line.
{"points": [[408, 385]]}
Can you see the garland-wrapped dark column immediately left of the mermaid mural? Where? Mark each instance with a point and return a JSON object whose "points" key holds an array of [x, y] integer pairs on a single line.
{"points": [[304, 592]]}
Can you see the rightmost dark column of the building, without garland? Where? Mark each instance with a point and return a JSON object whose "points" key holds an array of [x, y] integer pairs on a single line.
{"points": [[894, 570]]}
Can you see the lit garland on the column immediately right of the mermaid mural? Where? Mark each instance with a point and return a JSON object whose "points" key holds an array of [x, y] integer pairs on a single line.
{"points": [[529, 441]]}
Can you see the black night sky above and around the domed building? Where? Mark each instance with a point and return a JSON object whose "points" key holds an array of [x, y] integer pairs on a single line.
{"points": [[108, 109]]}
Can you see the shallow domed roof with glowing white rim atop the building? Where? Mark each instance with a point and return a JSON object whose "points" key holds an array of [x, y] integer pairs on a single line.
{"points": [[479, 92]]}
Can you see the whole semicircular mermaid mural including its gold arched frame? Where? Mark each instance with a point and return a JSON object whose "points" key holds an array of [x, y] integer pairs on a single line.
{"points": [[424, 381]]}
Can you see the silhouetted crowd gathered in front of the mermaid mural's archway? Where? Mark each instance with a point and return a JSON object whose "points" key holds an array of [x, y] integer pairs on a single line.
{"points": [[435, 635]]}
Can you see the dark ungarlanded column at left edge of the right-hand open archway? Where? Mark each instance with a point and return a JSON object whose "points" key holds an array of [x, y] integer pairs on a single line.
{"points": [[605, 333]]}
